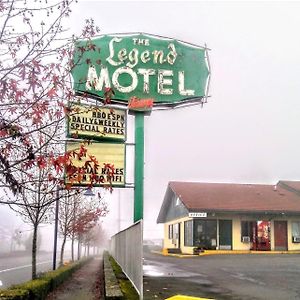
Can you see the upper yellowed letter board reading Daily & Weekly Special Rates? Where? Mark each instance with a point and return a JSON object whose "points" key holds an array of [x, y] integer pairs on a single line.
{"points": [[97, 122]]}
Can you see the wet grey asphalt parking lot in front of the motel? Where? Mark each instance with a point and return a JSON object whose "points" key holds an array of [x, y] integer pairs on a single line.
{"points": [[247, 276]]}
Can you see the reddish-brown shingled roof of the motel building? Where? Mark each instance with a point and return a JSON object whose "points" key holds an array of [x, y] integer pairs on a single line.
{"points": [[236, 197]]}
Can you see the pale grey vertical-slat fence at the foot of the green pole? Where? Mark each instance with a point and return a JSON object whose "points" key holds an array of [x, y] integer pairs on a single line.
{"points": [[127, 249]]}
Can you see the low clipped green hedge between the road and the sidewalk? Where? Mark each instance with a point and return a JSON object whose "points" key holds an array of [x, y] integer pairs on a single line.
{"points": [[38, 289]]}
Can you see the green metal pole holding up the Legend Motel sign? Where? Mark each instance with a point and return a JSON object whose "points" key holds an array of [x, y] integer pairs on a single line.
{"points": [[139, 167]]}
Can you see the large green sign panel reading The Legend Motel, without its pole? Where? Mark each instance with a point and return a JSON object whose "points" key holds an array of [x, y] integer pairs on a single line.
{"points": [[143, 66]]}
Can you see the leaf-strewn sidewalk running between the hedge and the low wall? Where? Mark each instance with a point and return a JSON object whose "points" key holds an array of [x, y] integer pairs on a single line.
{"points": [[85, 284]]}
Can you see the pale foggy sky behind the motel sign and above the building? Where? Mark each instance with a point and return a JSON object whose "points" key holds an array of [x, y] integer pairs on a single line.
{"points": [[248, 132]]}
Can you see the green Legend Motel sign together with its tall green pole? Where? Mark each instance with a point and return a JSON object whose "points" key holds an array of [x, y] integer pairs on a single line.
{"points": [[140, 71]]}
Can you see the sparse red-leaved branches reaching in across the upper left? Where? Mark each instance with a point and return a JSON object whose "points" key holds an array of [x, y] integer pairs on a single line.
{"points": [[35, 85]]}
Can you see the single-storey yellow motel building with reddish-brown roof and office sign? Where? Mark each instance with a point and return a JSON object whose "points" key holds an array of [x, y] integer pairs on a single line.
{"points": [[217, 216]]}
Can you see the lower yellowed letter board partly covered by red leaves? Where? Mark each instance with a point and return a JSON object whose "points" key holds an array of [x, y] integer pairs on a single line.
{"points": [[105, 153]]}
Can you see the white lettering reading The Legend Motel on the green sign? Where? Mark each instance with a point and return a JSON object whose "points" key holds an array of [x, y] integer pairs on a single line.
{"points": [[126, 60]]}
